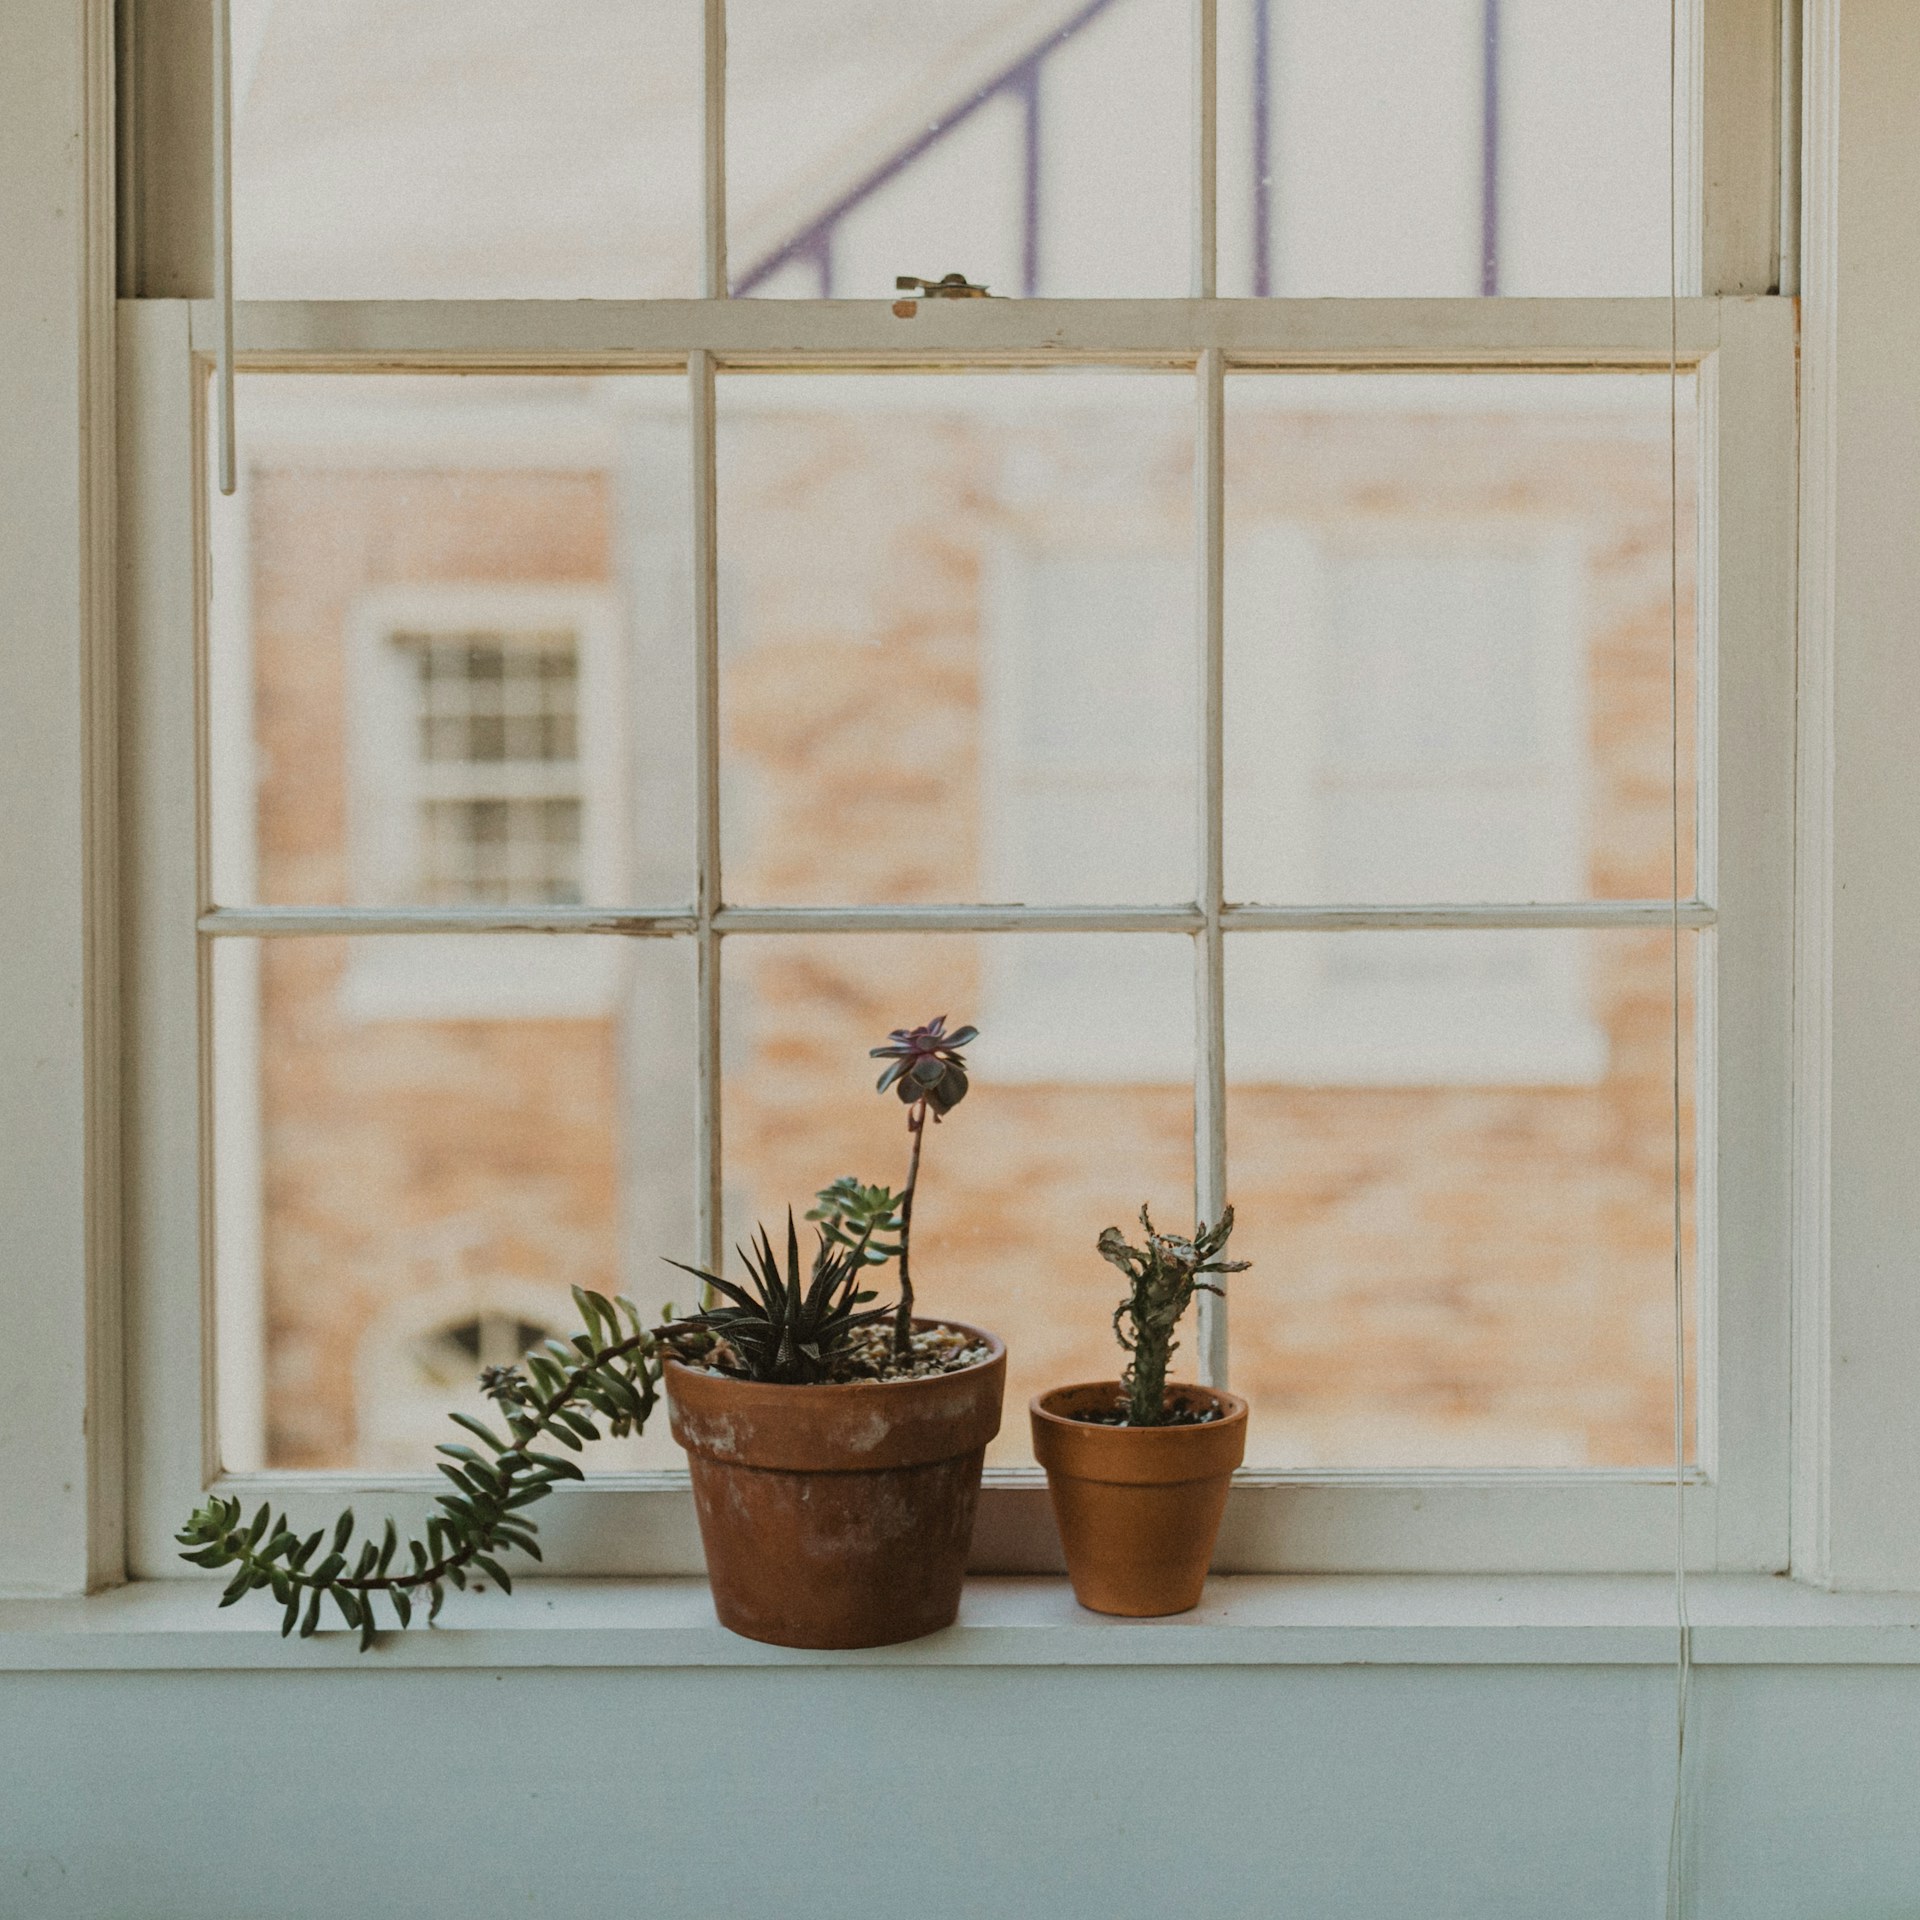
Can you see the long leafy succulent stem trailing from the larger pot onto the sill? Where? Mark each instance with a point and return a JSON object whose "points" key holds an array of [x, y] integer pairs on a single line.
{"points": [[608, 1374]]}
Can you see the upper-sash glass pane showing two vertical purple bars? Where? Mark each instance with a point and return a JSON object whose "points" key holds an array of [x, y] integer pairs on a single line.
{"points": [[1445, 147]]}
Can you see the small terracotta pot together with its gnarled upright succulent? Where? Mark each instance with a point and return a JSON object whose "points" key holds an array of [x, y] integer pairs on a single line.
{"points": [[1140, 1468]]}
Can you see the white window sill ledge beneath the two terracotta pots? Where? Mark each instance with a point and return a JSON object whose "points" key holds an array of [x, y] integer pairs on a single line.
{"points": [[1245, 1621]]}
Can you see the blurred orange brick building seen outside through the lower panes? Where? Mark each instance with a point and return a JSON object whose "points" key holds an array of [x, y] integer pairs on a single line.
{"points": [[1456, 1260]]}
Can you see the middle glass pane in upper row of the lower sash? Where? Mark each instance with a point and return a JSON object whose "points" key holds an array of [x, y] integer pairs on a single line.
{"points": [[957, 638]]}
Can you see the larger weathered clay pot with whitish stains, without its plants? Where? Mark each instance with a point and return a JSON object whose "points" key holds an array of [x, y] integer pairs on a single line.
{"points": [[838, 1516]]}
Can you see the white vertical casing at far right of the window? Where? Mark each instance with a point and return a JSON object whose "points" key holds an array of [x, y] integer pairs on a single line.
{"points": [[1863, 291]]}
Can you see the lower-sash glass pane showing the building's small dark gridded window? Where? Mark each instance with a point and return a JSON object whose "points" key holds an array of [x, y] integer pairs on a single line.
{"points": [[450, 644]]}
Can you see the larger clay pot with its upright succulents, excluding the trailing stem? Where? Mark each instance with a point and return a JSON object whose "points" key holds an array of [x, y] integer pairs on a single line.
{"points": [[838, 1447]]}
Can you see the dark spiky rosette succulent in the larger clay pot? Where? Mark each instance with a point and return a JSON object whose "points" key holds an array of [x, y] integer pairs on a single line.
{"points": [[786, 1332]]}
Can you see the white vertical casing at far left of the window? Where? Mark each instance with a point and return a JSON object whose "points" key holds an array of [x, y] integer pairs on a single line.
{"points": [[62, 1426]]}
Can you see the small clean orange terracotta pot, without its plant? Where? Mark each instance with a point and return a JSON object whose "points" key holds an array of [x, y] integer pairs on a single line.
{"points": [[1138, 1506]]}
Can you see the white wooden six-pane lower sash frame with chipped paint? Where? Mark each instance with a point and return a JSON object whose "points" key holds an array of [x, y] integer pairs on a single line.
{"points": [[1742, 350]]}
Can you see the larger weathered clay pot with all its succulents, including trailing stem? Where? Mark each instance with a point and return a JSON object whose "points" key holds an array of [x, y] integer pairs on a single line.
{"points": [[836, 1447]]}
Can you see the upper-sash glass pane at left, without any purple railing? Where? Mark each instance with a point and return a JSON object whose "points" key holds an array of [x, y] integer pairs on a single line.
{"points": [[468, 151]]}
